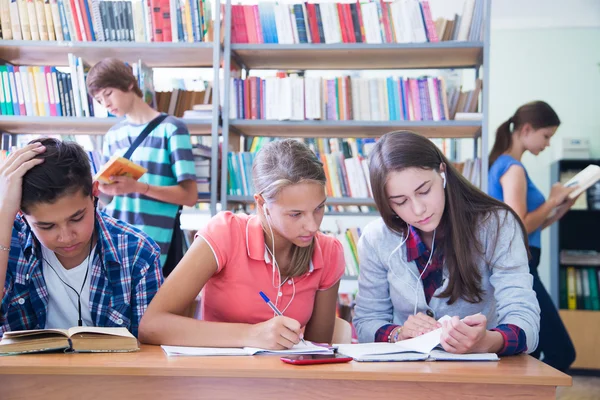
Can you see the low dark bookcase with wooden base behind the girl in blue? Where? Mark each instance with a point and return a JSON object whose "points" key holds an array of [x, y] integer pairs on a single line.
{"points": [[575, 231]]}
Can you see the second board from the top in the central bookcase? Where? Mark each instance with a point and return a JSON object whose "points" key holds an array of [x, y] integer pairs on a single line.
{"points": [[355, 129]]}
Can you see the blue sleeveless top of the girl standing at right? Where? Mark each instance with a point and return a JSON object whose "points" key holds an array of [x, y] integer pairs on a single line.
{"points": [[535, 198]]}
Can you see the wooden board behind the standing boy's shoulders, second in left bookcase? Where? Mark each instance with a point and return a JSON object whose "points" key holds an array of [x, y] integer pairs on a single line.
{"points": [[79, 125]]}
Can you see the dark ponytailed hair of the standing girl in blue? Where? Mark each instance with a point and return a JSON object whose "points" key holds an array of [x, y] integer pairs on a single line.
{"points": [[538, 114]]}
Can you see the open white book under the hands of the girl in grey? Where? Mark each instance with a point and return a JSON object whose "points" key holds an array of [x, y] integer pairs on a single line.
{"points": [[424, 347]]}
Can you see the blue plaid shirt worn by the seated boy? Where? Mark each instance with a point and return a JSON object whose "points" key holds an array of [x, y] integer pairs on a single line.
{"points": [[125, 276]]}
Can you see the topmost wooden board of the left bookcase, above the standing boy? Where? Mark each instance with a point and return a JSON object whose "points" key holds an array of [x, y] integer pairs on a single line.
{"points": [[156, 54]]}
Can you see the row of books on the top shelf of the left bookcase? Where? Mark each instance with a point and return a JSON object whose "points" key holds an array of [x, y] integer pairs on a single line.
{"points": [[106, 20]]}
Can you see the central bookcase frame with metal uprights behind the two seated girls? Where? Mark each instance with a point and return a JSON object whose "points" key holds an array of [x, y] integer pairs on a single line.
{"points": [[354, 56]]}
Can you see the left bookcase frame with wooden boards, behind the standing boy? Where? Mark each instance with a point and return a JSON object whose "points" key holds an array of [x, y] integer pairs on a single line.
{"points": [[153, 54]]}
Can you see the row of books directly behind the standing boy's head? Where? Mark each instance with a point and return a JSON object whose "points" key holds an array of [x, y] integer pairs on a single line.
{"points": [[46, 91]]}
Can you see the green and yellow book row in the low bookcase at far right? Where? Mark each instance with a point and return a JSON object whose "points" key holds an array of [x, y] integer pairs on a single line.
{"points": [[578, 288]]}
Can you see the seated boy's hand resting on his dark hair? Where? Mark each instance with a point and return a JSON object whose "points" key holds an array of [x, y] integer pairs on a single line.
{"points": [[11, 177]]}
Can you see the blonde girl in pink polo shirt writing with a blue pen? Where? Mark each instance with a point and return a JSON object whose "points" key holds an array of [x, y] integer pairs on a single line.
{"points": [[278, 251]]}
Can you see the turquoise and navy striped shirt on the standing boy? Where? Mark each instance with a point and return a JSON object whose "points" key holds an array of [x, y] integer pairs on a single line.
{"points": [[167, 155]]}
